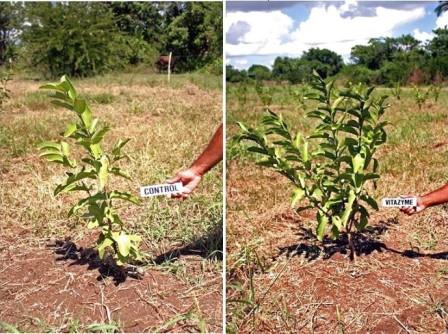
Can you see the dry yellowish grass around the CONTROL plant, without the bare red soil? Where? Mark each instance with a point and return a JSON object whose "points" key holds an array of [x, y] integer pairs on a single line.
{"points": [[169, 126]]}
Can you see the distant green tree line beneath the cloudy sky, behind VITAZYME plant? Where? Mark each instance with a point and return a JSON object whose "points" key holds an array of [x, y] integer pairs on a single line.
{"points": [[385, 61]]}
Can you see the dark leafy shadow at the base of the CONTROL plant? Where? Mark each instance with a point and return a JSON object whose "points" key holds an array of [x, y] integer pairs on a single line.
{"points": [[68, 251]]}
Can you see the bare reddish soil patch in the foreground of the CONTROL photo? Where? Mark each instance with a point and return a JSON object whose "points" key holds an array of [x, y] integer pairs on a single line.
{"points": [[39, 283]]}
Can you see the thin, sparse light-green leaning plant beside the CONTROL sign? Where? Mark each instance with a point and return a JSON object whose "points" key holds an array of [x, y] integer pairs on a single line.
{"points": [[91, 173]]}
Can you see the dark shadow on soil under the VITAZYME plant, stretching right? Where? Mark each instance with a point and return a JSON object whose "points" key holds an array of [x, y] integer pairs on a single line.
{"points": [[364, 243]]}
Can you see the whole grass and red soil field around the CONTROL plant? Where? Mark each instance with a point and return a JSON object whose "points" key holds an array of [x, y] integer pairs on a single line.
{"points": [[169, 126]]}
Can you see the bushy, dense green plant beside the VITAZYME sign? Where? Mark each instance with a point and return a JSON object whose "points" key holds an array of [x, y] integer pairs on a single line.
{"points": [[334, 173]]}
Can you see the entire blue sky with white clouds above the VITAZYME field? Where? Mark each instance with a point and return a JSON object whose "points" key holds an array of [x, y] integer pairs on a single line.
{"points": [[259, 31]]}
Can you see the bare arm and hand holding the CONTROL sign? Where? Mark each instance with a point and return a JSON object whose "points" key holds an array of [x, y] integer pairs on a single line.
{"points": [[211, 156]]}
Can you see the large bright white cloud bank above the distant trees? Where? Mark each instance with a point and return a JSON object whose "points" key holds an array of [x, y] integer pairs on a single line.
{"points": [[328, 26]]}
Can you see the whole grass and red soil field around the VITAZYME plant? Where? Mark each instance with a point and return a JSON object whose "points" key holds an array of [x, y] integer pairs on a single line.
{"points": [[278, 280]]}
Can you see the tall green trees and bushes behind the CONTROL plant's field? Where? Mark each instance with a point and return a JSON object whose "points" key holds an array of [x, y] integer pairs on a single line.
{"points": [[88, 38]]}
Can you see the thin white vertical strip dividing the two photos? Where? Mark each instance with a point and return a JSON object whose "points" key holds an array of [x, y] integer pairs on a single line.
{"points": [[224, 170]]}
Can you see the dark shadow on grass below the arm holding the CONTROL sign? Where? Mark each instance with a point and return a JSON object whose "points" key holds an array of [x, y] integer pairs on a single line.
{"points": [[209, 246]]}
